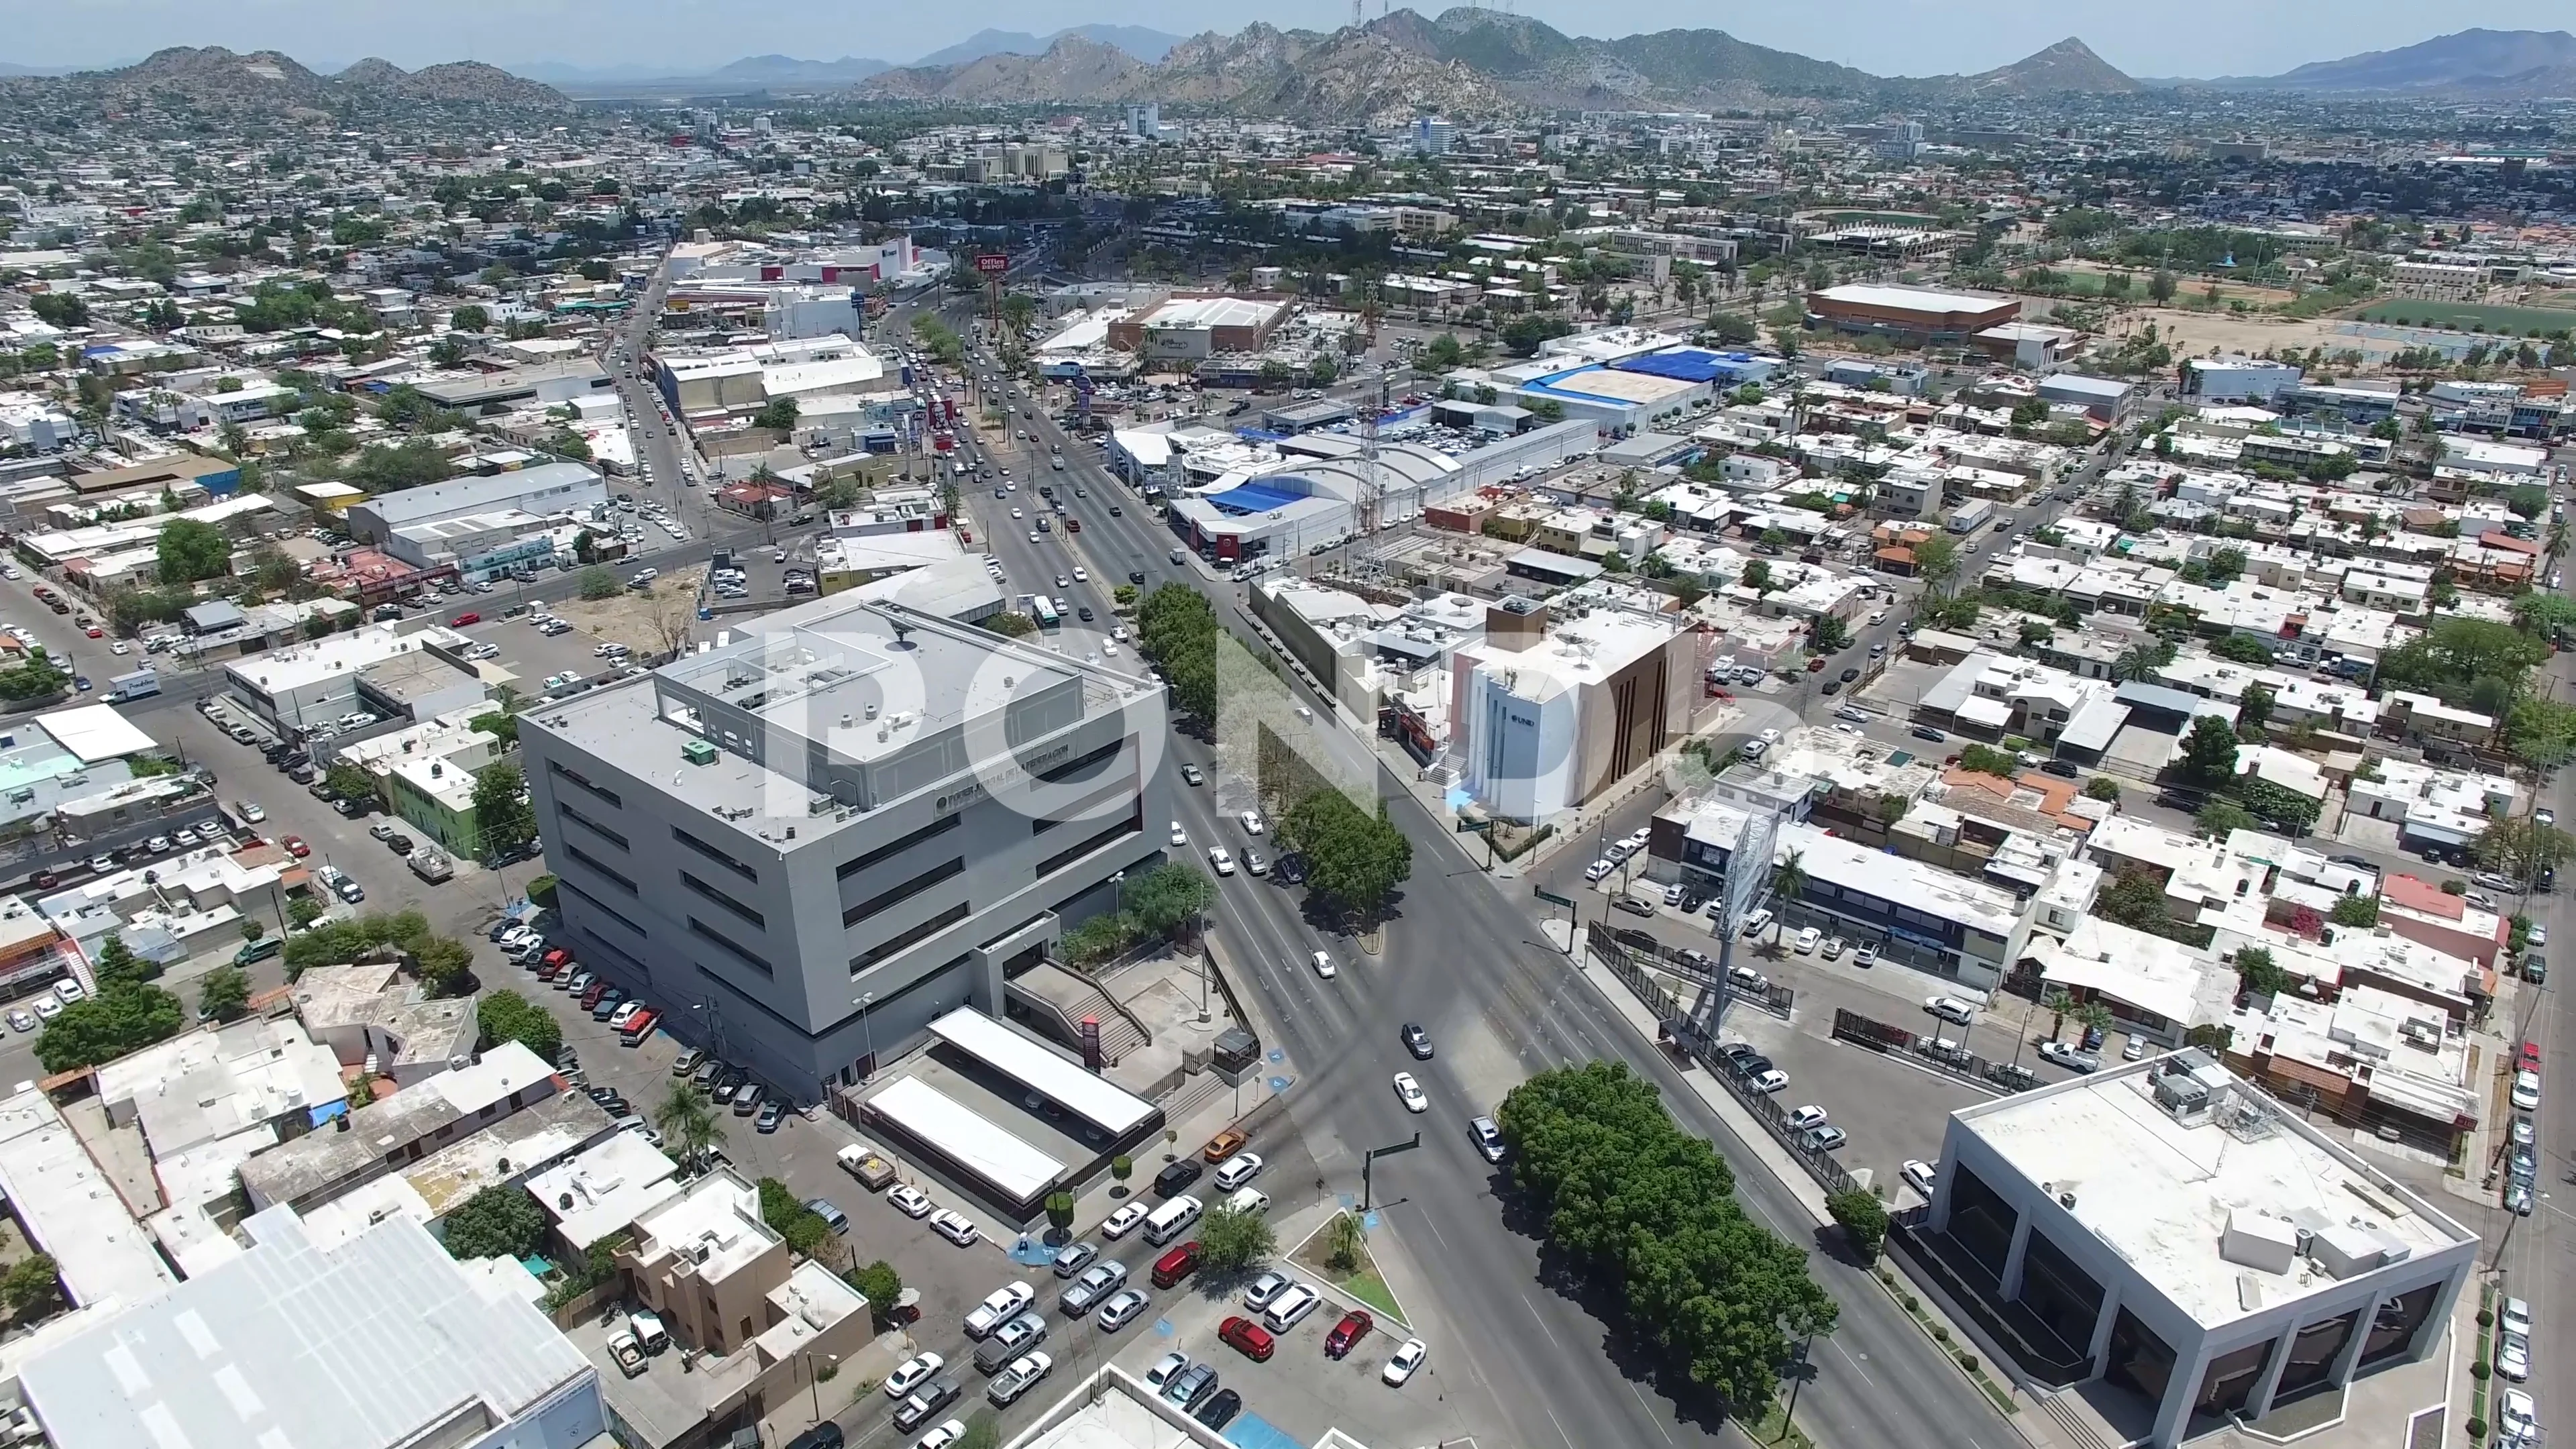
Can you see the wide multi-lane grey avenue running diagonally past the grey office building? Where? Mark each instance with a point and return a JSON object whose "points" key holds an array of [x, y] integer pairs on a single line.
{"points": [[1467, 960]]}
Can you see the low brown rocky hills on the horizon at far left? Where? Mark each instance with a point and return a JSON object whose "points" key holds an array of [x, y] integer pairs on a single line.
{"points": [[269, 84]]}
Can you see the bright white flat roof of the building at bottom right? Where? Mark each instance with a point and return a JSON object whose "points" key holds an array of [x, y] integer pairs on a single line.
{"points": [[2160, 1190]]}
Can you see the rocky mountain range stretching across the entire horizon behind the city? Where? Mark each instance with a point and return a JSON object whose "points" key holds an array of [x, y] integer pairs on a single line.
{"points": [[1464, 63]]}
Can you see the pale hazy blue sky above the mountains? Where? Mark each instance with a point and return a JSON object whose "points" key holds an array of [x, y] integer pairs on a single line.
{"points": [[1887, 37]]}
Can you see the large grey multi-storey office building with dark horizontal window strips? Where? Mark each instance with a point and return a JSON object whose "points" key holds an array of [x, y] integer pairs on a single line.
{"points": [[818, 837]]}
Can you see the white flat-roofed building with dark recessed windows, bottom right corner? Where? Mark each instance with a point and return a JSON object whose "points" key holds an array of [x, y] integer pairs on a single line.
{"points": [[2168, 1231]]}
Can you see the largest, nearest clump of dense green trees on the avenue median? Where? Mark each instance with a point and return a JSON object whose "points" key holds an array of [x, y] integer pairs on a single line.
{"points": [[1653, 1211]]}
